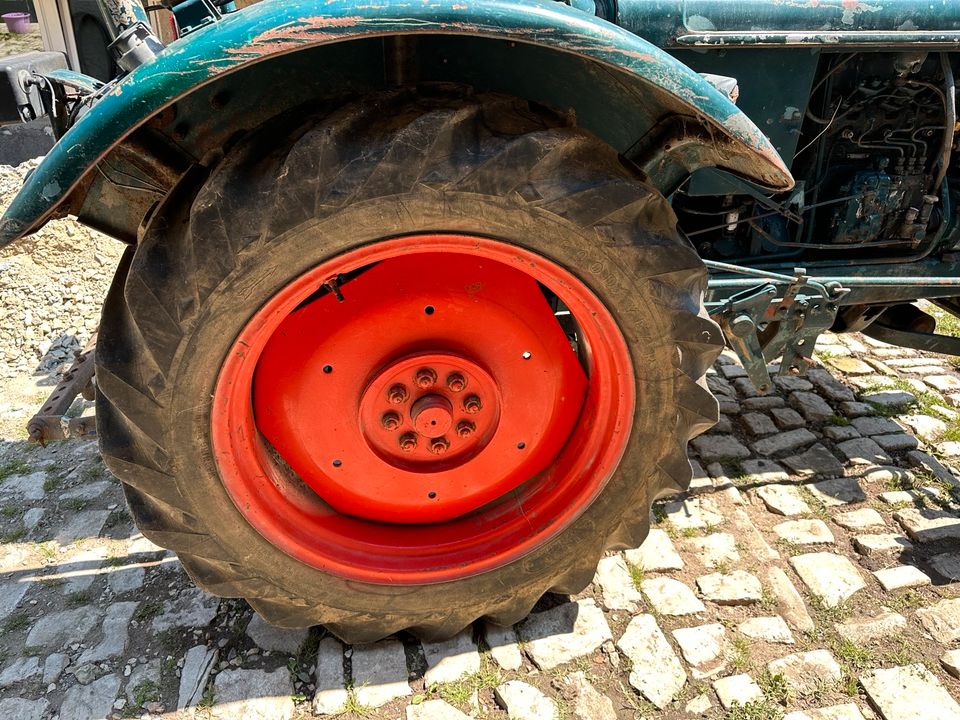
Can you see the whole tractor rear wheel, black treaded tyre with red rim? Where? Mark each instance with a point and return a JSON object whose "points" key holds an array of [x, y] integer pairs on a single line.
{"points": [[405, 363]]}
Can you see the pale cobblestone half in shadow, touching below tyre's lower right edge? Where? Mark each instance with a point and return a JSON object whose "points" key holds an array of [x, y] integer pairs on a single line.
{"points": [[565, 633]]}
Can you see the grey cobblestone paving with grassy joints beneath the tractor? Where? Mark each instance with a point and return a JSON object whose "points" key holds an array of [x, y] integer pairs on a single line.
{"points": [[811, 572]]}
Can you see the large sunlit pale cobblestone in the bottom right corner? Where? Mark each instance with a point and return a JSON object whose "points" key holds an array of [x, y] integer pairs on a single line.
{"points": [[895, 692]]}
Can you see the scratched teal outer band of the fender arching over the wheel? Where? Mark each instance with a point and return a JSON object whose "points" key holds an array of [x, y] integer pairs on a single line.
{"points": [[273, 28]]}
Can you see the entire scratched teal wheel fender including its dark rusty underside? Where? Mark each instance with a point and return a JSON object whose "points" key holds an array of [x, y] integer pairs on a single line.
{"points": [[180, 110]]}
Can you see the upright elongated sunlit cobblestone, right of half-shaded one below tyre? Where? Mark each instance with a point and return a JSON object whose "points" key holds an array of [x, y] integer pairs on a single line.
{"points": [[656, 671]]}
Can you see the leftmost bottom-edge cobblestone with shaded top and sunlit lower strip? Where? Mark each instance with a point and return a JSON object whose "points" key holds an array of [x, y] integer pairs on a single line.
{"points": [[253, 695]]}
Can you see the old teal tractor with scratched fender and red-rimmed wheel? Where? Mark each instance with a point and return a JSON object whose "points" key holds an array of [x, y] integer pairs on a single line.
{"points": [[419, 298]]}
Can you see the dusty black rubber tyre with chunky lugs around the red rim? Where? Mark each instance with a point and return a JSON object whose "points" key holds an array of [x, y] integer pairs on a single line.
{"points": [[304, 191]]}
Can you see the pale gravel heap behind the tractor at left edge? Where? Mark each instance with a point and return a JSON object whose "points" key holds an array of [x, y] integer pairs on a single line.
{"points": [[52, 285]]}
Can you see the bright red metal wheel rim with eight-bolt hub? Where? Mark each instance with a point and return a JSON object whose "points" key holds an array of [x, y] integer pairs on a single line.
{"points": [[412, 411]]}
